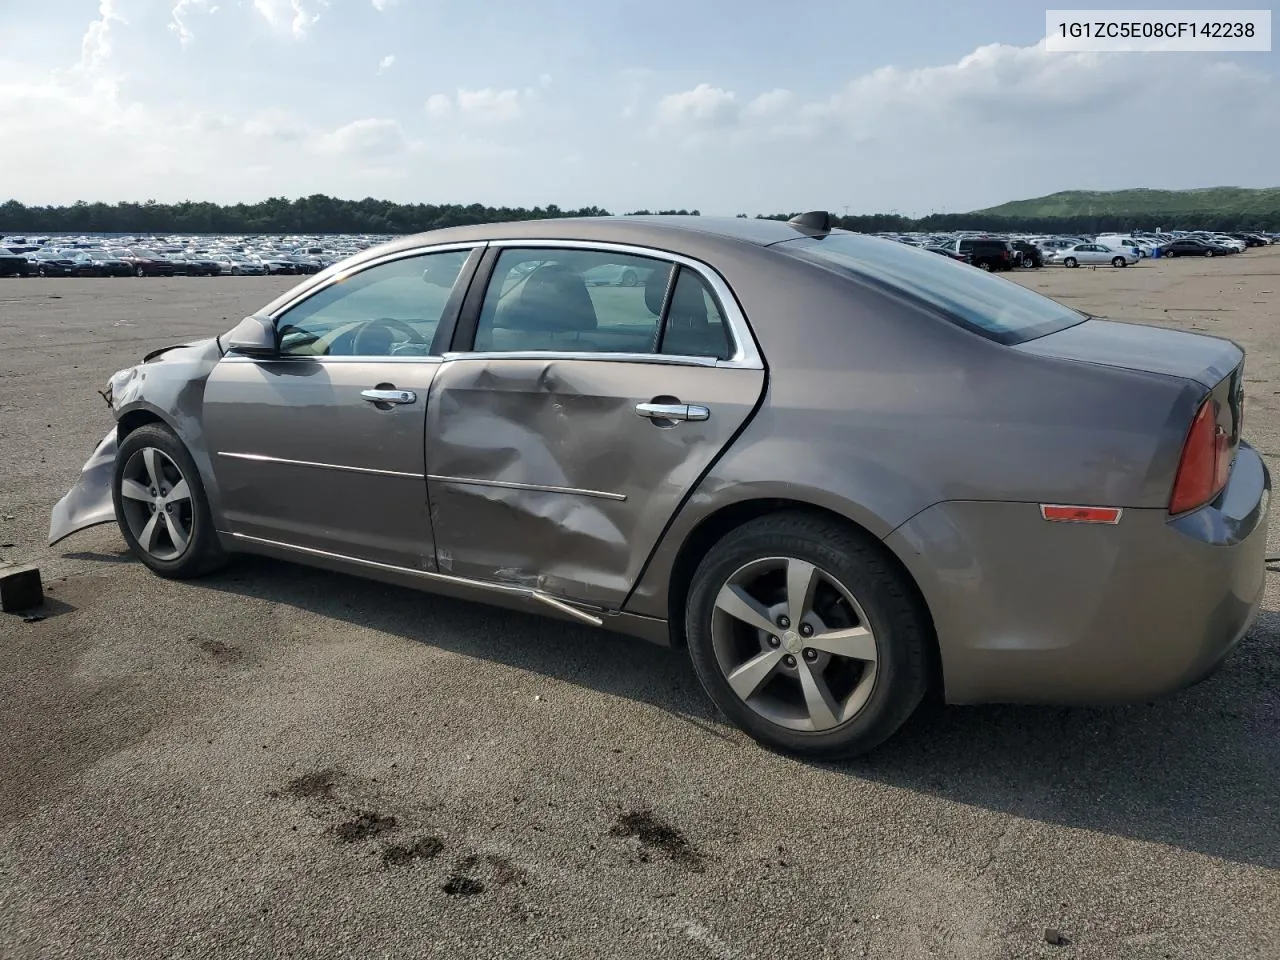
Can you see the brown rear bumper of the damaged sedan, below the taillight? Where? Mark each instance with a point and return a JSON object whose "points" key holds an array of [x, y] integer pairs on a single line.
{"points": [[1035, 612]]}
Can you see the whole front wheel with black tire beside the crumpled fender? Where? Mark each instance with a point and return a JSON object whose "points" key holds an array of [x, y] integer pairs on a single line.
{"points": [[161, 505]]}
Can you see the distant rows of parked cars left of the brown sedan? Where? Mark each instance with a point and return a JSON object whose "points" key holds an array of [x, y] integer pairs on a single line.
{"points": [[173, 257]]}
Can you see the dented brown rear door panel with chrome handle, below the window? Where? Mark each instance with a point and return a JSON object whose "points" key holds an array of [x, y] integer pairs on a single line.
{"points": [[563, 473]]}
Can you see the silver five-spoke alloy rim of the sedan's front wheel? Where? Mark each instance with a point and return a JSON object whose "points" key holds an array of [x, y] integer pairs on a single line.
{"points": [[157, 504]]}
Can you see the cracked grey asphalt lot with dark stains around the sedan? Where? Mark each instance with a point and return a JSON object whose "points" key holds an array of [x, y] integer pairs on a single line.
{"points": [[278, 761]]}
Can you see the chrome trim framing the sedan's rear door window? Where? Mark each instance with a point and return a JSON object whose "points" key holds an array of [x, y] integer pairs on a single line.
{"points": [[747, 354]]}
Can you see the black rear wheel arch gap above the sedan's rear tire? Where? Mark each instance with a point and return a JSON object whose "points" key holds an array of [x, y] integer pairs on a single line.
{"points": [[715, 527]]}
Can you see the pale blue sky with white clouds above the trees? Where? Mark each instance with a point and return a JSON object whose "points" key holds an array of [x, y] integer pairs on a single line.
{"points": [[724, 106]]}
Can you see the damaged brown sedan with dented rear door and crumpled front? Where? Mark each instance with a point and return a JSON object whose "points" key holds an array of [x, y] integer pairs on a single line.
{"points": [[836, 470]]}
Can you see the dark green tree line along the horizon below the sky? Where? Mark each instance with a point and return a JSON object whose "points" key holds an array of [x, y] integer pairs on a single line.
{"points": [[319, 214]]}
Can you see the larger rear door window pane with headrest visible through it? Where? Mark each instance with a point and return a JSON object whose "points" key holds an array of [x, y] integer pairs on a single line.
{"points": [[573, 301]]}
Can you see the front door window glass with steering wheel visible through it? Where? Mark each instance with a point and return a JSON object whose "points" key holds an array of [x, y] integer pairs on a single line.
{"points": [[388, 310]]}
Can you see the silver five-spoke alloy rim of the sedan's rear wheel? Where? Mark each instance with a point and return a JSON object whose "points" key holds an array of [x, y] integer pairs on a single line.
{"points": [[794, 644]]}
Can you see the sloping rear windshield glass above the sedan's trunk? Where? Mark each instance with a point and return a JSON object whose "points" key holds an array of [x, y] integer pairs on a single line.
{"points": [[993, 307]]}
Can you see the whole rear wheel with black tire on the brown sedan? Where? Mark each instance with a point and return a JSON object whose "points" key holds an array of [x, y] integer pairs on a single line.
{"points": [[807, 637]]}
